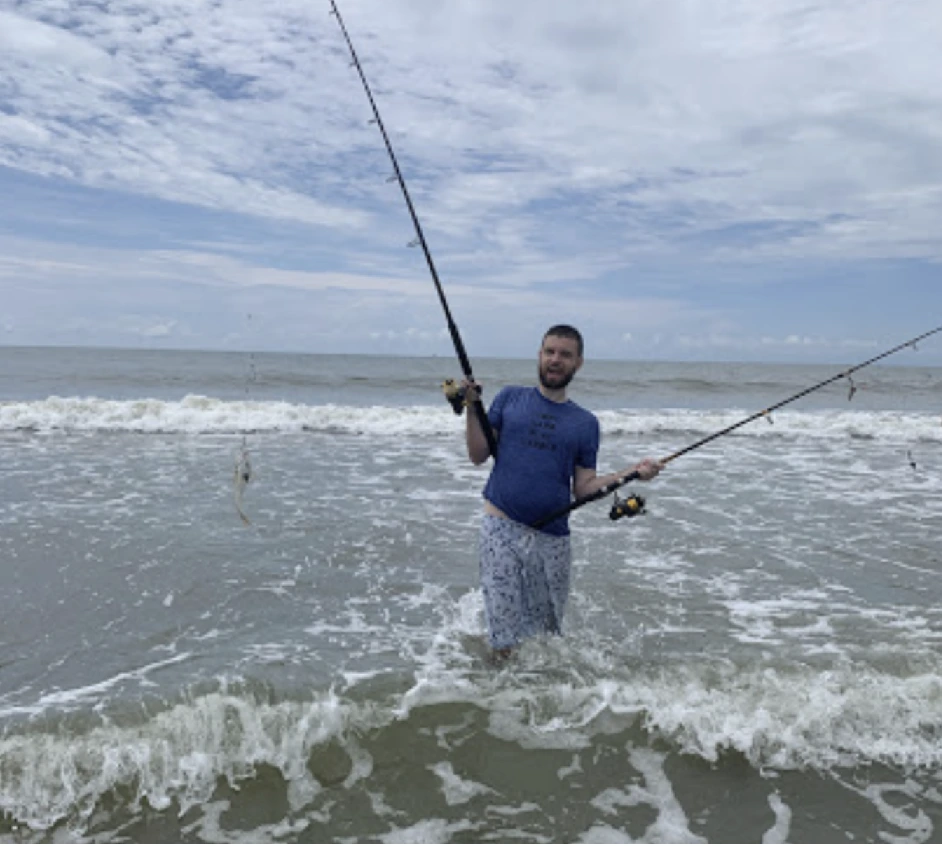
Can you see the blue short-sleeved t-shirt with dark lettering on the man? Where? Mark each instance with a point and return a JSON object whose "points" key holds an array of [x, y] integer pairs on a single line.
{"points": [[541, 444]]}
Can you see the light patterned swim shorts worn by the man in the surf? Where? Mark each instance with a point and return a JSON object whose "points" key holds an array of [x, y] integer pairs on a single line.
{"points": [[525, 580]]}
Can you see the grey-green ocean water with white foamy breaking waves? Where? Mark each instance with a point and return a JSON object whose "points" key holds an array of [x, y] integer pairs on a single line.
{"points": [[756, 659]]}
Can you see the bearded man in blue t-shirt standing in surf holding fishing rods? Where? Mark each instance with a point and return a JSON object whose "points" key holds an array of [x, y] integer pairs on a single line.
{"points": [[547, 448]]}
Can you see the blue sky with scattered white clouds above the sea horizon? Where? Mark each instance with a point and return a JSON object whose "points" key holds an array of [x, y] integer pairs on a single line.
{"points": [[682, 180]]}
